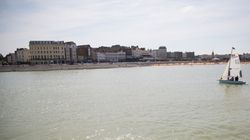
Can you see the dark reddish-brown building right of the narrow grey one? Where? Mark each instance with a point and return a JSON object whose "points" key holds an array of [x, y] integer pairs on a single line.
{"points": [[84, 53]]}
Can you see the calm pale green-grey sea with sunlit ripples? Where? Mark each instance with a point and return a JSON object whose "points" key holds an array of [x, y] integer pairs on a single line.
{"points": [[141, 103]]}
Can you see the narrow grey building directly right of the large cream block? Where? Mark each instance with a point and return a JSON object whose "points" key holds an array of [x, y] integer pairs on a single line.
{"points": [[70, 52]]}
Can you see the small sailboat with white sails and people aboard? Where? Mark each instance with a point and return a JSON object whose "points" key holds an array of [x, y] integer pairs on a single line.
{"points": [[232, 73]]}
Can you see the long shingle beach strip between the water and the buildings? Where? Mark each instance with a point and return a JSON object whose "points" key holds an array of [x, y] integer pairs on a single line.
{"points": [[52, 67]]}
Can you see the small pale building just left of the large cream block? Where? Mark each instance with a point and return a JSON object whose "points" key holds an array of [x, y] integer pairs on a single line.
{"points": [[22, 55]]}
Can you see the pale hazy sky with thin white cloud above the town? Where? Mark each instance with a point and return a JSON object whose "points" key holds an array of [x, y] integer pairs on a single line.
{"points": [[201, 26]]}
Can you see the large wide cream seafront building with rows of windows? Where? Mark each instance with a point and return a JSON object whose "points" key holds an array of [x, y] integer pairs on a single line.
{"points": [[47, 52]]}
